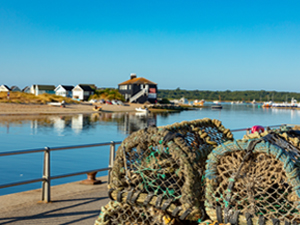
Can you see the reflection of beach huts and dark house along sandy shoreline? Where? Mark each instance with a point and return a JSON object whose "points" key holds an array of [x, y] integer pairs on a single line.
{"points": [[126, 122]]}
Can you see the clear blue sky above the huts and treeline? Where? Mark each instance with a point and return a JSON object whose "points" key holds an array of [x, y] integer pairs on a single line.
{"points": [[193, 45]]}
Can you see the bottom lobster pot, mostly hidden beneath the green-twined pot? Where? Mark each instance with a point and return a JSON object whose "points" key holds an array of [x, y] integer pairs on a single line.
{"points": [[115, 213]]}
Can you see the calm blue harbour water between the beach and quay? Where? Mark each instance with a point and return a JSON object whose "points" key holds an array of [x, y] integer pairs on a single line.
{"points": [[19, 133]]}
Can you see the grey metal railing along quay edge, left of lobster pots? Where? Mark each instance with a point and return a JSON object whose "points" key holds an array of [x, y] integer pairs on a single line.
{"points": [[46, 178]]}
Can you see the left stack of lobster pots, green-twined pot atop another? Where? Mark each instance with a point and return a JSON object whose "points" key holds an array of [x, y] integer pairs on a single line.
{"points": [[158, 174]]}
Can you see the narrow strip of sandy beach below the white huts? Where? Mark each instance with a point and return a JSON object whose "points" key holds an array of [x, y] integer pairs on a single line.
{"points": [[35, 109]]}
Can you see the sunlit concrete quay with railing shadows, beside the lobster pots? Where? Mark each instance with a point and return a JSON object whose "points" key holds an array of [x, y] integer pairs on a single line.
{"points": [[71, 203]]}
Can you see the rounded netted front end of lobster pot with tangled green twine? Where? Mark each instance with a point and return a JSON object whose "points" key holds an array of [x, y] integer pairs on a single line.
{"points": [[155, 163]]}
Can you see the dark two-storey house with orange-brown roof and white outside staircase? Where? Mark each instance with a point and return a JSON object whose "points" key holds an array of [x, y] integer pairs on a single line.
{"points": [[138, 90]]}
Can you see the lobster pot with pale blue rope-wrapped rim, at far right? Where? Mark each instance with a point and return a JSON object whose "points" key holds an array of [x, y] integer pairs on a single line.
{"points": [[254, 182]]}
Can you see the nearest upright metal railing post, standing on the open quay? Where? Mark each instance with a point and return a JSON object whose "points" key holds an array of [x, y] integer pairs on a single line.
{"points": [[46, 197]]}
